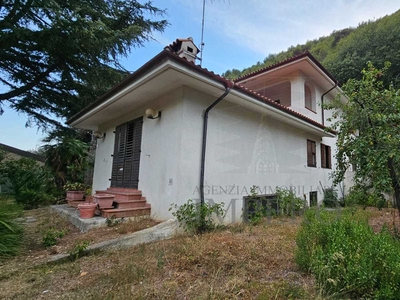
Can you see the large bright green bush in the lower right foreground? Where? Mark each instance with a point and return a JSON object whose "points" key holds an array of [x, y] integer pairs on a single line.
{"points": [[346, 257]]}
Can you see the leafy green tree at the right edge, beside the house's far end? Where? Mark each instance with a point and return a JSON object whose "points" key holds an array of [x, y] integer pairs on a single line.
{"points": [[368, 133]]}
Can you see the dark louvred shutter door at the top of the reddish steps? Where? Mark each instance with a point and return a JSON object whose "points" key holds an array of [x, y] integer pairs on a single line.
{"points": [[126, 158]]}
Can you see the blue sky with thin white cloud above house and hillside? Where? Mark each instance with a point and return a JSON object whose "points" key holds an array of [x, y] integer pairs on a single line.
{"points": [[237, 34]]}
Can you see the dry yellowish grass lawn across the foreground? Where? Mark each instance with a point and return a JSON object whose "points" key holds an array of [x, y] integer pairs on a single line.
{"points": [[239, 262]]}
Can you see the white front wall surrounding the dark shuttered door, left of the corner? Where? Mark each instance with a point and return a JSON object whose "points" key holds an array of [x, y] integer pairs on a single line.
{"points": [[159, 161]]}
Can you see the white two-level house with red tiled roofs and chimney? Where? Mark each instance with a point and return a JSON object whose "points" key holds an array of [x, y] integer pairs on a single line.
{"points": [[267, 129]]}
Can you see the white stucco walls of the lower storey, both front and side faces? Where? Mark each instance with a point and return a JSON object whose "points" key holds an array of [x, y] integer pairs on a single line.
{"points": [[238, 140]]}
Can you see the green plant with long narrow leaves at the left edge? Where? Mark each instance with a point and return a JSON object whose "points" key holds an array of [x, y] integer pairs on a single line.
{"points": [[10, 231]]}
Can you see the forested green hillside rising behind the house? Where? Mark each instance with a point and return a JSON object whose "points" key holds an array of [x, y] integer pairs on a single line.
{"points": [[345, 52]]}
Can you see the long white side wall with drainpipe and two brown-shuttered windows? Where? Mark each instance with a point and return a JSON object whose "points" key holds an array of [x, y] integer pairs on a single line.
{"points": [[238, 140]]}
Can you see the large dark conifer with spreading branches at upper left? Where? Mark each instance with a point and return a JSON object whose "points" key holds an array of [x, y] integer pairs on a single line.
{"points": [[56, 56]]}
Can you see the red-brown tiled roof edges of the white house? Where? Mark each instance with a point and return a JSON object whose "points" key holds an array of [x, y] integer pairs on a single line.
{"points": [[168, 52]]}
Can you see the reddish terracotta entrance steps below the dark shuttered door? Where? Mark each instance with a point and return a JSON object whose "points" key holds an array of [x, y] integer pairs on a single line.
{"points": [[127, 203]]}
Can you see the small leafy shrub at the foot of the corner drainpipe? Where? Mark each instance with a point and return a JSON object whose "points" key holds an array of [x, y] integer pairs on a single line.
{"points": [[196, 218]]}
